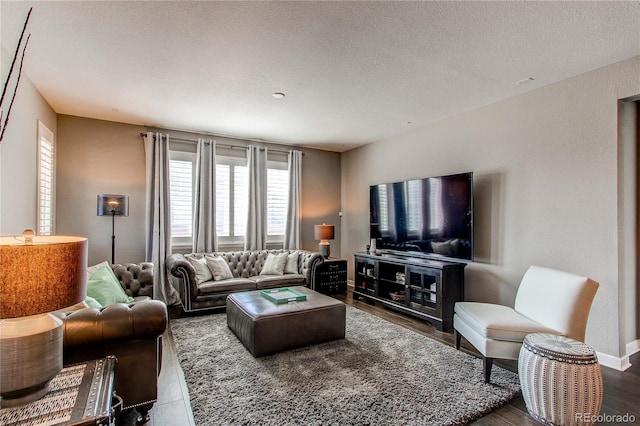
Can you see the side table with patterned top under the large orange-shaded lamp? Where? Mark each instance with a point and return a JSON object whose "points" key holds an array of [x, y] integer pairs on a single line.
{"points": [[80, 395]]}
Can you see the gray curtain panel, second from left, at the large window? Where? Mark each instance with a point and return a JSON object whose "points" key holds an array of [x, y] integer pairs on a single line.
{"points": [[204, 209]]}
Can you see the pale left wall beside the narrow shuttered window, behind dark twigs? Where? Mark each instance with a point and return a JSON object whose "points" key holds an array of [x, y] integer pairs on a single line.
{"points": [[18, 153]]}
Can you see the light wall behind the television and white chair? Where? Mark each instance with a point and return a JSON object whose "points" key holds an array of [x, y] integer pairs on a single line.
{"points": [[546, 183]]}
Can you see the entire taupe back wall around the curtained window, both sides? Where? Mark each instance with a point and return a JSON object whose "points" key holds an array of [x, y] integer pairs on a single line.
{"points": [[106, 157]]}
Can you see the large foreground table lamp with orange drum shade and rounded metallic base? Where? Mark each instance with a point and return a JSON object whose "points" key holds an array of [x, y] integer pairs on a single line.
{"points": [[38, 275]]}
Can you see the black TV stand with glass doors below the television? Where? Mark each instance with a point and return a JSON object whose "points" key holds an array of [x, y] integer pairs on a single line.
{"points": [[421, 287]]}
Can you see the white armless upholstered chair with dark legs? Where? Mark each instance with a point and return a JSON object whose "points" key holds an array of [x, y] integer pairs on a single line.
{"points": [[547, 301]]}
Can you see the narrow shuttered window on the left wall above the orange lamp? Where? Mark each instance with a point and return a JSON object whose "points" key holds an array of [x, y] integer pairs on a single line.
{"points": [[46, 182]]}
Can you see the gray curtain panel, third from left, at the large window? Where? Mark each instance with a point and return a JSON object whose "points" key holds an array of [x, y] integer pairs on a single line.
{"points": [[256, 234]]}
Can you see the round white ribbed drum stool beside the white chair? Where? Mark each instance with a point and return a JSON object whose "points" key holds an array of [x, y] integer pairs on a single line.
{"points": [[561, 380]]}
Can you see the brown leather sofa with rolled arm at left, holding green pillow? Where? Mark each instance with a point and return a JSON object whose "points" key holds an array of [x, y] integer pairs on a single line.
{"points": [[131, 332]]}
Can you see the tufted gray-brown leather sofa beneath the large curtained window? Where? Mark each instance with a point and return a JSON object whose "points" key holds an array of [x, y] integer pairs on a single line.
{"points": [[245, 267]]}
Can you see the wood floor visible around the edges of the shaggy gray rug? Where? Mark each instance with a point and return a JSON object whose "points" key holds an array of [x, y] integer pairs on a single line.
{"points": [[621, 396]]}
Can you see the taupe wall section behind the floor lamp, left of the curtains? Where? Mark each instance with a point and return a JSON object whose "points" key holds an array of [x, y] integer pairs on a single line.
{"points": [[101, 157]]}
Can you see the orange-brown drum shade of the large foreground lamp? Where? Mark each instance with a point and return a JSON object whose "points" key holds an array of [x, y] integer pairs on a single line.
{"points": [[44, 275]]}
